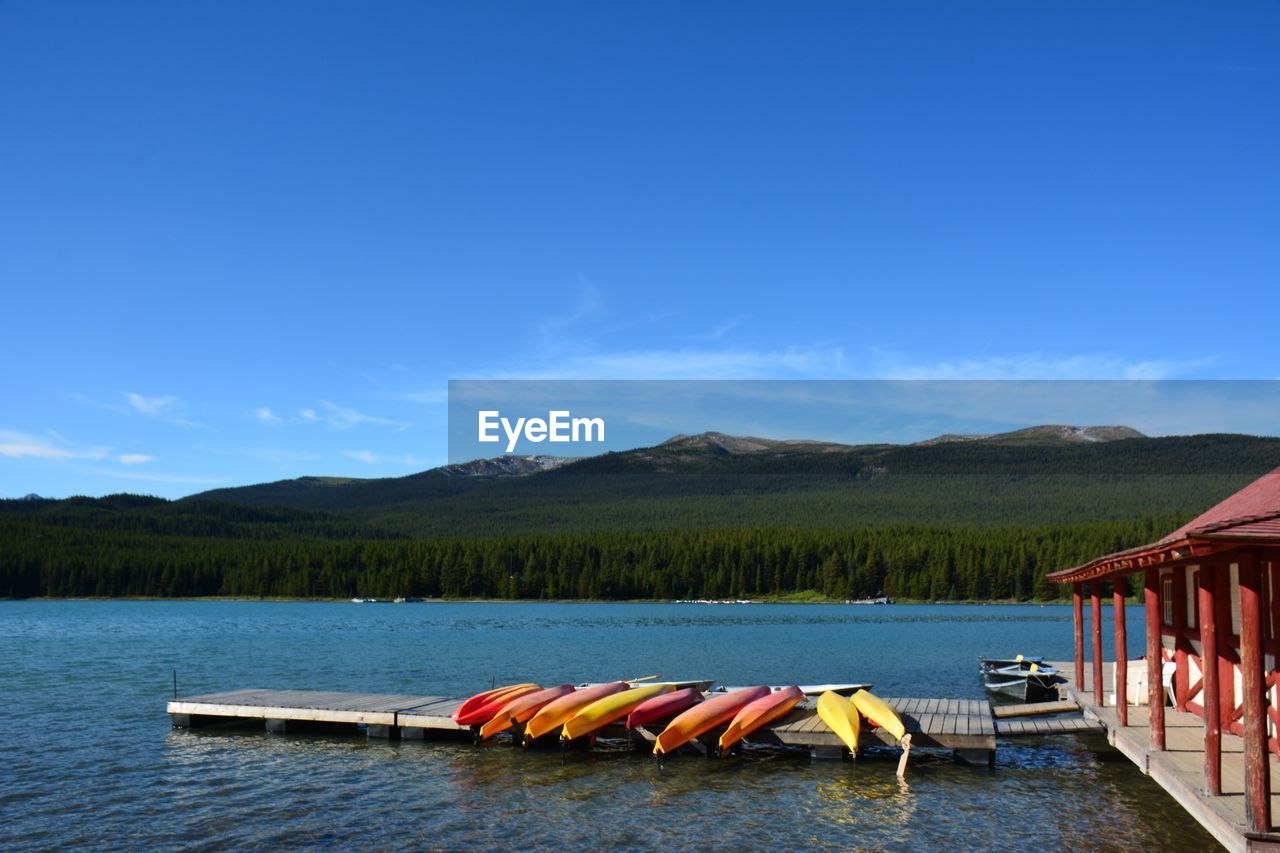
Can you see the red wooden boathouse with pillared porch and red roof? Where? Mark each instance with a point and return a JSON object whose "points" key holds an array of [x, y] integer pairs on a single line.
{"points": [[1213, 613]]}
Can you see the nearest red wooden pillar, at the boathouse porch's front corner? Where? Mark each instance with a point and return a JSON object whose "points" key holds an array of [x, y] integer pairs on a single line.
{"points": [[1258, 786]]}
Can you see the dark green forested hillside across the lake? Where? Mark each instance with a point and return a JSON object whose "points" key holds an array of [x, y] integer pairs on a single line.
{"points": [[950, 521]]}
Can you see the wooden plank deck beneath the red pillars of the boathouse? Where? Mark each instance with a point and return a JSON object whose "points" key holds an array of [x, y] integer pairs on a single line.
{"points": [[1180, 769]]}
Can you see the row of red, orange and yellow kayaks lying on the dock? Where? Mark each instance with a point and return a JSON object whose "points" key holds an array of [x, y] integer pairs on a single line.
{"points": [[676, 713]]}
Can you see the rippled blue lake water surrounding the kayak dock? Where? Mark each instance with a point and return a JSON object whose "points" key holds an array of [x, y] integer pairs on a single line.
{"points": [[89, 759]]}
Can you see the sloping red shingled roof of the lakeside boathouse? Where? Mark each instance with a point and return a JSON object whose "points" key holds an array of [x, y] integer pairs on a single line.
{"points": [[1250, 516]]}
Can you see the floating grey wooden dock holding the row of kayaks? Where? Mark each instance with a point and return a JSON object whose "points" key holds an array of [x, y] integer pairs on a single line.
{"points": [[966, 727]]}
